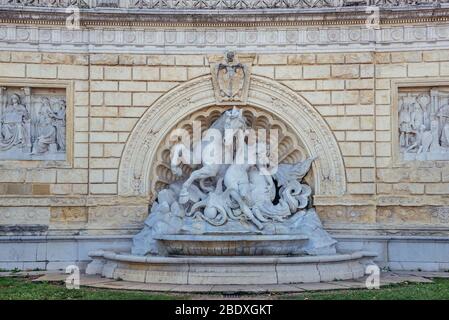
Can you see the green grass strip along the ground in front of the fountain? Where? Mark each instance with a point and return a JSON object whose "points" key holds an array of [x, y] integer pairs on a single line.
{"points": [[20, 288]]}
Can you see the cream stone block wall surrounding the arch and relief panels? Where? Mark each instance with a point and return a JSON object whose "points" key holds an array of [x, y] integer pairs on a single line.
{"points": [[353, 92]]}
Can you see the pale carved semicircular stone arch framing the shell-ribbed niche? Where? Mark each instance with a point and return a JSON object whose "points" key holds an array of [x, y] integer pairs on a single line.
{"points": [[141, 173]]}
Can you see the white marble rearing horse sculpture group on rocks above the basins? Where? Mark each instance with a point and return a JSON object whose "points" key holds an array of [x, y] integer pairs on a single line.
{"points": [[236, 198]]}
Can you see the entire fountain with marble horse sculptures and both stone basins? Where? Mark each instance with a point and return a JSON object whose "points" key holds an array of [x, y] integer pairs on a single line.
{"points": [[232, 216]]}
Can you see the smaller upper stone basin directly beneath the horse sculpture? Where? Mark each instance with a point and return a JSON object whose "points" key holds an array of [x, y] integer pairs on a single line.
{"points": [[232, 244]]}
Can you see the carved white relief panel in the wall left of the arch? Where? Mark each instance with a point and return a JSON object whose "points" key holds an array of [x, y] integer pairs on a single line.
{"points": [[32, 123]]}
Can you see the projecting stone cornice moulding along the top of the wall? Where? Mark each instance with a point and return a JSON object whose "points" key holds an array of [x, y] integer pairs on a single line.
{"points": [[167, 17]]}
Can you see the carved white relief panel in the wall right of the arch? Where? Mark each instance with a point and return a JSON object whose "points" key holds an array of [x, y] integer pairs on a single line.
{"points": [[423, 123]]}
